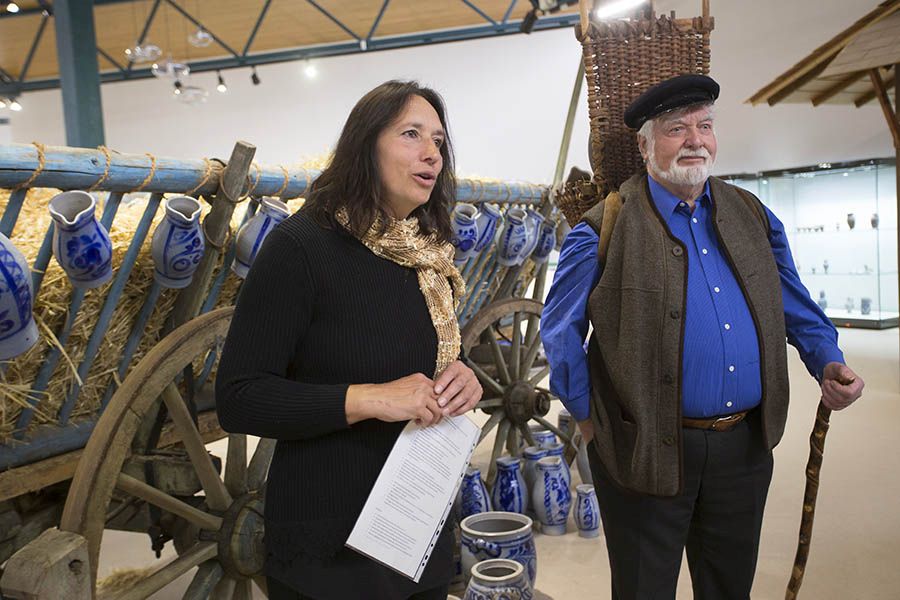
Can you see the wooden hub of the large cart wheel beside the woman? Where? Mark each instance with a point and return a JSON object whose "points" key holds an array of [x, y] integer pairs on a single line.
{"points": [[241, 548]]}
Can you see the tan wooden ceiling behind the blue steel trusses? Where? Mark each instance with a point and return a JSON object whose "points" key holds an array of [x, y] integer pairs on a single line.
{"points": [[247, 30]]}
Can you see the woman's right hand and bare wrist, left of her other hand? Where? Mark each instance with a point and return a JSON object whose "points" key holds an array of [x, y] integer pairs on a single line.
{"points": [[409, 398]]}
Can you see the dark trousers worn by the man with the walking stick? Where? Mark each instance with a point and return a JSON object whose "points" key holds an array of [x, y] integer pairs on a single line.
{"points": [[717, 518]]}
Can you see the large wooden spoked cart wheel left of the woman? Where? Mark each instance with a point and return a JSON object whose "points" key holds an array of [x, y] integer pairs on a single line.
{"points": [[221, 530]]}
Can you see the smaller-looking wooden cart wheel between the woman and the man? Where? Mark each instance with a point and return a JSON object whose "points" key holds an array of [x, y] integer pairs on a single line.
{"points": [[503, 346]]}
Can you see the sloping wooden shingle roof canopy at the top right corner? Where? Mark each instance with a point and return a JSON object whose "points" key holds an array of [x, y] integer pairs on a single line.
{"points": [[839, 71]]}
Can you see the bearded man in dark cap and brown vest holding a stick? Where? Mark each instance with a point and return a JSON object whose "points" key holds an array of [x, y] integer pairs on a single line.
{"points": [[684, 387]]}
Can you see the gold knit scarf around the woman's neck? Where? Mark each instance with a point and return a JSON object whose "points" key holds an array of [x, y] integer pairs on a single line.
{"points": [[439, 280]]}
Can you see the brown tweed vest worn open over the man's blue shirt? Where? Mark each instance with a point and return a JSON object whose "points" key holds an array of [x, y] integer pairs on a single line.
{"points": [[637, 312]]}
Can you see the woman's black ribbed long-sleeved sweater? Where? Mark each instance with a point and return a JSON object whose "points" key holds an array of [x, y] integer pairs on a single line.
{"points": [[317, 313]]}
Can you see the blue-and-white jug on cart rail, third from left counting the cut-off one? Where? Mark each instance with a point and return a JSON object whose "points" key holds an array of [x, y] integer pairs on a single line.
{"points": [[177, 245]]}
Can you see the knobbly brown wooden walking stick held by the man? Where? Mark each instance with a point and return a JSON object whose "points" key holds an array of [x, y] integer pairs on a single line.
{"points": [[813, 468]]}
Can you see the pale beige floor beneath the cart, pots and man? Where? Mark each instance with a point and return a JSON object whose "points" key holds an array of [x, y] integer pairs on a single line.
{"points": [[855, 552]]}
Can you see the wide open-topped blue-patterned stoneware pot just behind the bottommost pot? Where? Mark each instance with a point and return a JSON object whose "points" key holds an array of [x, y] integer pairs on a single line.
{"points": [[498, 535]]}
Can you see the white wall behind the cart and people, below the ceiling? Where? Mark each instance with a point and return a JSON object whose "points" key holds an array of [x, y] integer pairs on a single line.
{"points": [[507, 99]]}
